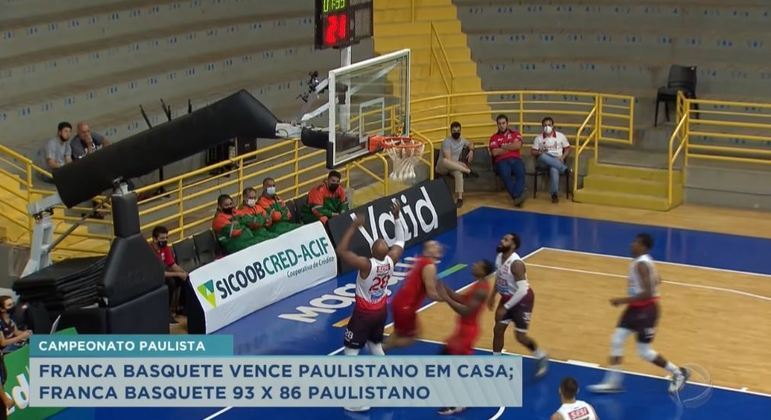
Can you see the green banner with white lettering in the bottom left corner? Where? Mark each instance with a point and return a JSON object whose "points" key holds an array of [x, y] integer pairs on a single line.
{"points": [[18, 387]]}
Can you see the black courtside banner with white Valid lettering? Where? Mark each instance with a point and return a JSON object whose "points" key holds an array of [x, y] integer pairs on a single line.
{"points": [[427, 209]]}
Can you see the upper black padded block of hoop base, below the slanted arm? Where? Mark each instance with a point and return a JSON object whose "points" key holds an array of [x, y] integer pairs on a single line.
{"points": [[132, 270]]}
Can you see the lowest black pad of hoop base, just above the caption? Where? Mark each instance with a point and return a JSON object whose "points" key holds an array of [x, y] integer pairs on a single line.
{"points": [[147, 314]]}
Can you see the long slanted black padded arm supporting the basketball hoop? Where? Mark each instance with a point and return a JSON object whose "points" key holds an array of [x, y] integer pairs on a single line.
{"points": [[238, 115]]}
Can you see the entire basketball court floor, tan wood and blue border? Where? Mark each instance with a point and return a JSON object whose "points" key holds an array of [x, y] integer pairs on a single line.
{"points": [[716, 300]]}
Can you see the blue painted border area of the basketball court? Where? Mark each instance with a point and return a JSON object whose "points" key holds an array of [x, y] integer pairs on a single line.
{"points": [[311, 329]]}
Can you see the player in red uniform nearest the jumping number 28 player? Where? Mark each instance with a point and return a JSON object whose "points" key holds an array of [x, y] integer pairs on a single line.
{"points": [[421, 283]]}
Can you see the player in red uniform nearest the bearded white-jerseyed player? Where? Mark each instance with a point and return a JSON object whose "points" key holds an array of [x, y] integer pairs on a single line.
{"points": [[467, 306]]}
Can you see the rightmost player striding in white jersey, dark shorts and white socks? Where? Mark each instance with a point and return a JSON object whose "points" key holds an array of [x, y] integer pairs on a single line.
{"points": [[640, 317]]}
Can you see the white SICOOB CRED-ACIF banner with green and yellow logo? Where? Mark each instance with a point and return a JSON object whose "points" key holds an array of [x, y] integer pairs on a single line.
{"points": [[241, 283]]}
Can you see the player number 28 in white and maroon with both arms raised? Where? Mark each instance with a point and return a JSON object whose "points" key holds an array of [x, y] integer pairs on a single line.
{"points": [[369, 314]]}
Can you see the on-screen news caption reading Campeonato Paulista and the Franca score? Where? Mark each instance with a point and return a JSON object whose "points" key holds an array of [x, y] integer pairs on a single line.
{"points": [[201, 371]]}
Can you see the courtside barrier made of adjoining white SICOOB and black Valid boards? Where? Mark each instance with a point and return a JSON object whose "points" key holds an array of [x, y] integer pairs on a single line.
{"points": [[239, 284]]}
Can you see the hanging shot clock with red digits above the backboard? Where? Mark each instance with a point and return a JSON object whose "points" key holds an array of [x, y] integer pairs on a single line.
{"points": [[340, 23]]}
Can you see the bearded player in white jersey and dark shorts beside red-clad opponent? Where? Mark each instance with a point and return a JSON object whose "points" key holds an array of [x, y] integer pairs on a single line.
{"points": [[517, 301]]}
